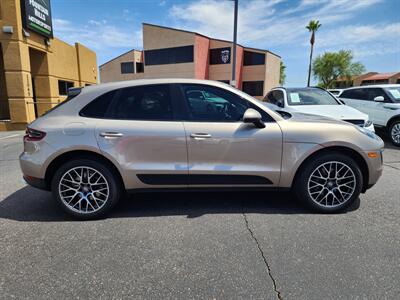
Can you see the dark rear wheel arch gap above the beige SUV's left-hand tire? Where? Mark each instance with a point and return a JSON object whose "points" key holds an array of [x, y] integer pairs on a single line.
{"points": [[74, 154]]}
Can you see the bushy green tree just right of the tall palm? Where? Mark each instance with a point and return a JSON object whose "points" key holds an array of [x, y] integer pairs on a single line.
{"points": [[327, 68]]}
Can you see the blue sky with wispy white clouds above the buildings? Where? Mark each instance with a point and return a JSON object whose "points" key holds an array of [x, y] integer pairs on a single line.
{"points": [[370, 28]]}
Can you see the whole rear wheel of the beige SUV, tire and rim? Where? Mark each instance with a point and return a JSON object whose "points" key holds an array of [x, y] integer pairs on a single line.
{"points": [[82, 198]]}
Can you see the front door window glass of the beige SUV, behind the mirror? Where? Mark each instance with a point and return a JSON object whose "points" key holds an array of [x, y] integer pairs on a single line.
{"points": [[212, 104]]}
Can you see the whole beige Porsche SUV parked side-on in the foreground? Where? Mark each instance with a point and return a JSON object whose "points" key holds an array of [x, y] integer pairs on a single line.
{"points": [[184, 134]]}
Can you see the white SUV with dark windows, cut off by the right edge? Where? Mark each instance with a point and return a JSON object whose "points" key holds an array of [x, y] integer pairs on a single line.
{"points": [[381, 103]]}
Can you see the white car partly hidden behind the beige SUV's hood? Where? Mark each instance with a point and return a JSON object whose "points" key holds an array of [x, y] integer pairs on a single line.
{"points": [[316, 101]]}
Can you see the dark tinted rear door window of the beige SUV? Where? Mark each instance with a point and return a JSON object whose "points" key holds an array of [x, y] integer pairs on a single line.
{"points": [[151, 102]]}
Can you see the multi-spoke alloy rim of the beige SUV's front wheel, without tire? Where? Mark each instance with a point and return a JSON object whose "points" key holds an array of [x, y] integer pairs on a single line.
{"points": [[331, 184]]}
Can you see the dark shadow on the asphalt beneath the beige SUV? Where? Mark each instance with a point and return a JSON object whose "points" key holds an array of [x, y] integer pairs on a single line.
{"points": [[29, 204]]}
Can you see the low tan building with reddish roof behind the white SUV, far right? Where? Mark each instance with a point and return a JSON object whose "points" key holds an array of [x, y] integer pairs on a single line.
{"points": [[369, 78]]}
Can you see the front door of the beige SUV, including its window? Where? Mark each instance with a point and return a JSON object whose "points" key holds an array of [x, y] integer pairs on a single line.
{"points": [[224, 151]]}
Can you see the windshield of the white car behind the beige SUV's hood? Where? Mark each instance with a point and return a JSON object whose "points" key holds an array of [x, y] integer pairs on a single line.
{"points": [[310, 97]]}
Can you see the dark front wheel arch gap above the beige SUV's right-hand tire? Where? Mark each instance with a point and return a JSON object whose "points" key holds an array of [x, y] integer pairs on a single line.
{"points": [[343, 150]]}
